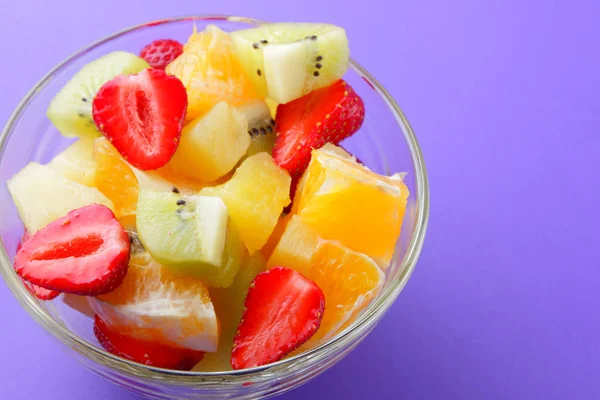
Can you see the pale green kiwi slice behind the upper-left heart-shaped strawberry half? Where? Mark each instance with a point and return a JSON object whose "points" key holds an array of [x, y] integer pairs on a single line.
{"points": [[71, 109]]}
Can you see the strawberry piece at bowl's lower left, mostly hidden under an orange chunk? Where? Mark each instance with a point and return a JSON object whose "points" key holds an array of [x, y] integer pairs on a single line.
{"points": [[144, 352]]}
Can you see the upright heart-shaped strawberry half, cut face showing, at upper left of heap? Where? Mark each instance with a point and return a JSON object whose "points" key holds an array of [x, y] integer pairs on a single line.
{"points": [[142, 116]]}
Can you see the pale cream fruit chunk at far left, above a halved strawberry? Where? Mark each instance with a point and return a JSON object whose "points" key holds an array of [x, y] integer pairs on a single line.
{"points": [[42, 196]]}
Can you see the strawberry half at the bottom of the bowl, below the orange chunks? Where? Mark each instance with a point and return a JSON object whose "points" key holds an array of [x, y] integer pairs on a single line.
{"points": [[283, 310]]}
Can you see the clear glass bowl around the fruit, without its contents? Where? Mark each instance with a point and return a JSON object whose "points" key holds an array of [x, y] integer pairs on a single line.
{"points": [[385, 143]]}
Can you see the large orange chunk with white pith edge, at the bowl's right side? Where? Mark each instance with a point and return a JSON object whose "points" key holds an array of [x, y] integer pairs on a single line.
{"points": [[343, 200]]}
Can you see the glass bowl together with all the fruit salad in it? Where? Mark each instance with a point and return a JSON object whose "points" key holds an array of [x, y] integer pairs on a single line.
{"points": [[192, 329]]}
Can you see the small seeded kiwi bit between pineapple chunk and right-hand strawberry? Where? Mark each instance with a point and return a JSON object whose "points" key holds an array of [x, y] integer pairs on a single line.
{"points": [[261, 127]]}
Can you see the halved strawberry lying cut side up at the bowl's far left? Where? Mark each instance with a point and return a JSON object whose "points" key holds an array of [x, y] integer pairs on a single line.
{"points": [[85, 252]]}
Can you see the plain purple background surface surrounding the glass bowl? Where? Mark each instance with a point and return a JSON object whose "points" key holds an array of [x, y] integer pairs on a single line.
{"points": [[505, 99]]}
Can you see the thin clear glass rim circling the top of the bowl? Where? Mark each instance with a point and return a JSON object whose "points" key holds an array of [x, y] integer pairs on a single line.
{"points": [[365, 321]]}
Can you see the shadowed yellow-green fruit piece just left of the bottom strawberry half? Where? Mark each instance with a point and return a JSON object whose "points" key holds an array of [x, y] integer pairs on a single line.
{"points": [[229, 306]]}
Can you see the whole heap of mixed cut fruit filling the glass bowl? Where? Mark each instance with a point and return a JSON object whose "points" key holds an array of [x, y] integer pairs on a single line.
{"points": [[205, 215]]}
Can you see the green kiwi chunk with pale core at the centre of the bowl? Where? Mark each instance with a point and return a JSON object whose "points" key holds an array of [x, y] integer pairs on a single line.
{"points": [[190, 234]]}
